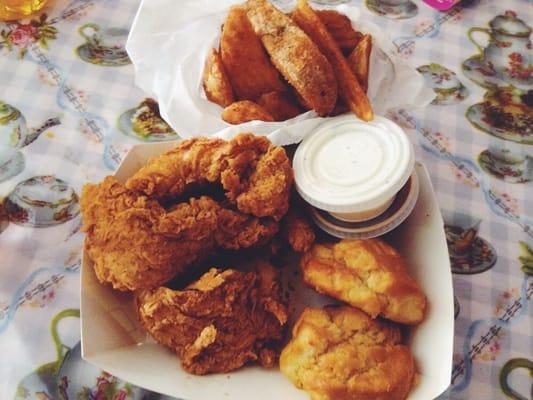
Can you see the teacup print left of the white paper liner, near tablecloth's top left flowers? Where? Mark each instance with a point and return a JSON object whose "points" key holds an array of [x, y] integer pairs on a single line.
{"points": [[103, 46]]}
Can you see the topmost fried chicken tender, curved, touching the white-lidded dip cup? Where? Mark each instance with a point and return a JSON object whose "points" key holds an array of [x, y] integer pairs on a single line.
{"points": [[256, 176]]}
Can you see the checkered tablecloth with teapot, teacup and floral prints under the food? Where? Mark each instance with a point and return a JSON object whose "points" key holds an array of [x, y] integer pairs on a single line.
{"points": [[66, 108]]}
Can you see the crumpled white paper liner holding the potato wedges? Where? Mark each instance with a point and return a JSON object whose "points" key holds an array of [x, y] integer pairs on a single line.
{"points": [[170, 40]]}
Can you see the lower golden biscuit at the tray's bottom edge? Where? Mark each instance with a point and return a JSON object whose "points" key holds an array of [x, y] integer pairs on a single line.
{"points": [[339, 353]]}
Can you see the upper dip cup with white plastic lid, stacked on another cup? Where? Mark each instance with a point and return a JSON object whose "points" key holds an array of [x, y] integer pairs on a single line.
{"points": [[353, 169]]}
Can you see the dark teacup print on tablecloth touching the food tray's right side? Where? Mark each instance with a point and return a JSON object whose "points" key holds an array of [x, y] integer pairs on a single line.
{"points": [[469, 253]]}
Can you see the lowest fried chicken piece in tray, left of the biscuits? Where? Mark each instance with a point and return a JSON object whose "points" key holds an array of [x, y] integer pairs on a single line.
{"points": [[220, 322]]}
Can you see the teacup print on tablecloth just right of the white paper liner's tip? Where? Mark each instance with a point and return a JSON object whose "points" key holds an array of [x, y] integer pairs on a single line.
{"points": [[445, 83]]}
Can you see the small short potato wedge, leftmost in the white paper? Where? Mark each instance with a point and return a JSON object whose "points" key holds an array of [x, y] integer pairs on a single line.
{"points": [[215, 81]]}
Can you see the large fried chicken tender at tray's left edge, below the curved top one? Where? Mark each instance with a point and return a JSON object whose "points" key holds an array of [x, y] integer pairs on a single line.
{"points": [[135, 243]]}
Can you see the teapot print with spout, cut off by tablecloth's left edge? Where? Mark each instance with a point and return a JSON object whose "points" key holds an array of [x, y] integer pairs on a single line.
{"points": [[14, 135]]}
